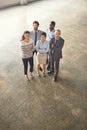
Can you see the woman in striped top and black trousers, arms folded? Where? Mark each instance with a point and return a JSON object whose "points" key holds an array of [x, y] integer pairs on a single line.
{"points": [[27, 48]]}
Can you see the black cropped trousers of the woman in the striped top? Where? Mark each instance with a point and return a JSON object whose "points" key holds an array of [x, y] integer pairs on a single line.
{"points": [[25, 63]]}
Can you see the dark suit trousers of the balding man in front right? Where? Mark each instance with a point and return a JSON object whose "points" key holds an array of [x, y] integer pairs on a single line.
{"points": [[55, 67]]}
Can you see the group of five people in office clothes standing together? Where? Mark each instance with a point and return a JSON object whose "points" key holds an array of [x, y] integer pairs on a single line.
{"points": [[48, 48]]}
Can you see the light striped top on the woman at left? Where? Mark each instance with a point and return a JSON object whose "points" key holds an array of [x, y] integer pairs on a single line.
{"points": [[27, 49]]}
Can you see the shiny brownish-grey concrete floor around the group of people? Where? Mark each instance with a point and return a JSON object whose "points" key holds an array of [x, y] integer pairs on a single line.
{"points": [[42, 104]]}
